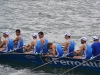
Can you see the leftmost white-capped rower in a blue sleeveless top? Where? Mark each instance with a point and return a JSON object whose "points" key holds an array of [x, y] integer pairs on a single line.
{"points": [[7, 44]]}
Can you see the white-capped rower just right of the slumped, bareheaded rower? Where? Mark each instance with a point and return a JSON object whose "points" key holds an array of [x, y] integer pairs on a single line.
{"points": [[68, 45]]}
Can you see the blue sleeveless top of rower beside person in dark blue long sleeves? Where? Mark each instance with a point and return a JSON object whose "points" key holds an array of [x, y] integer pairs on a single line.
{"points": [[87, 52]]}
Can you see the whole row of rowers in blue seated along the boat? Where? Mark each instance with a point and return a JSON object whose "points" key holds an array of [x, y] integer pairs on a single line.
{"points": [[41, 45]]}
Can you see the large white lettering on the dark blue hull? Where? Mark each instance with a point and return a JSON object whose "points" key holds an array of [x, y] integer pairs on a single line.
{"points": [[75, 62]]}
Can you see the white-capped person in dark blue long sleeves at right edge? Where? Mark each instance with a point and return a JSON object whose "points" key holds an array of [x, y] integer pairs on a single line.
{"points": [[96, 47]]}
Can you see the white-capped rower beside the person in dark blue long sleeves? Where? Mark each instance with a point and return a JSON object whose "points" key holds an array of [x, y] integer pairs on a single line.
{"points": [[85, 48]]}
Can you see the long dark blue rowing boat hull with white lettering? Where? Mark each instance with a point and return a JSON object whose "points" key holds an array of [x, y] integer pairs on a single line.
{"points": [[40, 59]]}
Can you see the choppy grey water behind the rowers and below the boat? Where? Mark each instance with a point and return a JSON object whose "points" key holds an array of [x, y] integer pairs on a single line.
{"points": [[54, 18]]}
